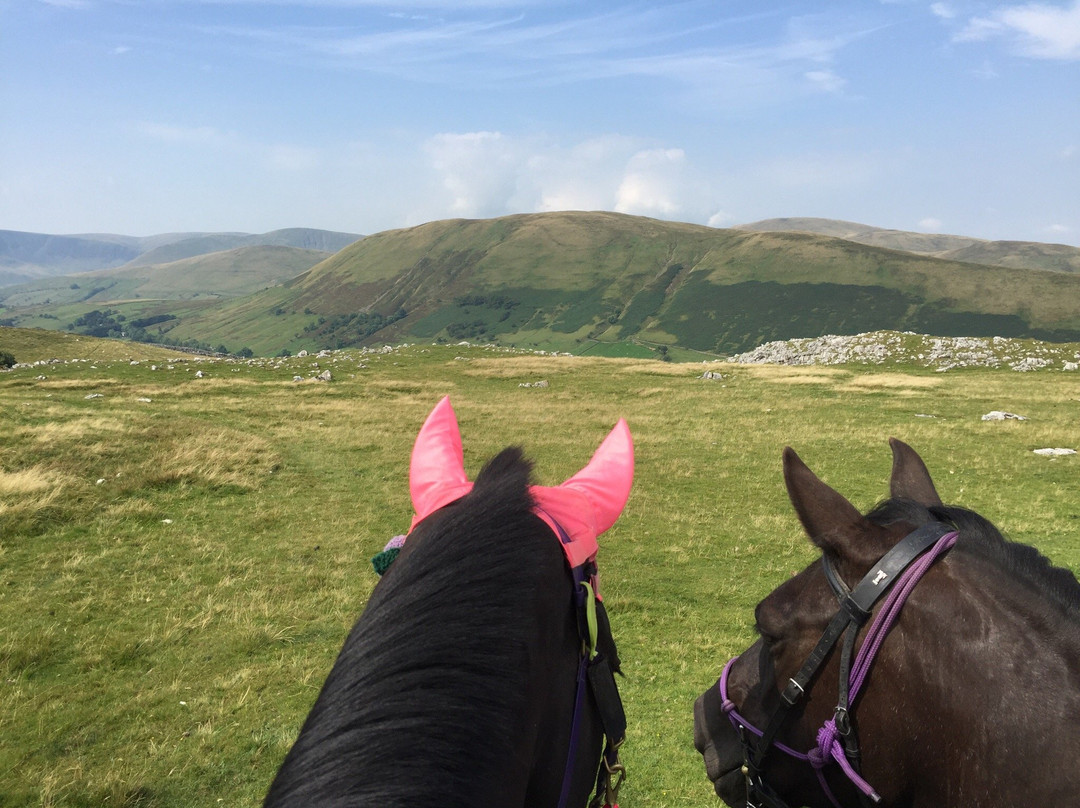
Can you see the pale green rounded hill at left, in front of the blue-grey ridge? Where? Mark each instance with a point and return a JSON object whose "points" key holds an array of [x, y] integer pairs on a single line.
{"points": [[227, 274]]}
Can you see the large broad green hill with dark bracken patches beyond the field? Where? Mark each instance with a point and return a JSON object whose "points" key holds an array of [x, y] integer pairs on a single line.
{"points": [[615, 285]]}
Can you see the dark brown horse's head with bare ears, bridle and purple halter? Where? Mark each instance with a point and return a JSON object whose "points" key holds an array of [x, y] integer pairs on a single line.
{"points": [[785, 723]]}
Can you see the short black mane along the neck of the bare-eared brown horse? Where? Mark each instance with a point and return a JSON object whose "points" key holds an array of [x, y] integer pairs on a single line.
{"points": [[978, 536]]}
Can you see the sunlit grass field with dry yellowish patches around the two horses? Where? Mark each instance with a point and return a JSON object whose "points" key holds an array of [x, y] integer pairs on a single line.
{"points": [[182, 558]]}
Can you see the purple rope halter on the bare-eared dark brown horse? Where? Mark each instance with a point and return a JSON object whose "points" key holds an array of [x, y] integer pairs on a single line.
{"points": [[830, 749]]}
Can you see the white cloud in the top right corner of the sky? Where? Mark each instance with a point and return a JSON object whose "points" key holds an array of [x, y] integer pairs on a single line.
{"points": [[1035, 30]]}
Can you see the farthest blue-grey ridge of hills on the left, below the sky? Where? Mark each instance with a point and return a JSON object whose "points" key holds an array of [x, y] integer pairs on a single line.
{"points": [[25, 258]]}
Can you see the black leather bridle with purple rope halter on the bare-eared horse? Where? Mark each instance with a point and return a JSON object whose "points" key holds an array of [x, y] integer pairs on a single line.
{"points": [[898, 573]]}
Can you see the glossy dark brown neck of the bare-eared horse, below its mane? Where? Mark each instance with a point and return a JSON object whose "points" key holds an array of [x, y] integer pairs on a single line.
{"points": [[990, 697]]}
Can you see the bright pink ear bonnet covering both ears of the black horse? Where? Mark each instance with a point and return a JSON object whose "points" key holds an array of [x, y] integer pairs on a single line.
{"points": [[584, 507]]}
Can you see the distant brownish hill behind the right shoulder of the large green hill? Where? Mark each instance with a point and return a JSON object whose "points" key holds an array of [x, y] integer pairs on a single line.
{"points": [[1015, 254]]}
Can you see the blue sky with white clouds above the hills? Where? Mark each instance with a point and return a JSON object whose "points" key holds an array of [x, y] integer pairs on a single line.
{"points": [[142, 117]]}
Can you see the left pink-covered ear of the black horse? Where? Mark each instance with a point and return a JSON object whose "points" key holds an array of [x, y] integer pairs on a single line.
{"points": [[437, 470]]}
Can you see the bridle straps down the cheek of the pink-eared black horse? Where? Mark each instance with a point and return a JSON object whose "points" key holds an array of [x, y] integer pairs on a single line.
{"points": [[596, 676]]}
